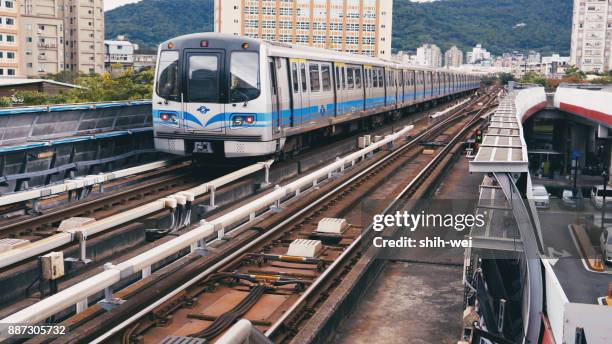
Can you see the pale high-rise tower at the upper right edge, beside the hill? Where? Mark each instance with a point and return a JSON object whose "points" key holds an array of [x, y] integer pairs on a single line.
{"points": [[592, 35]]}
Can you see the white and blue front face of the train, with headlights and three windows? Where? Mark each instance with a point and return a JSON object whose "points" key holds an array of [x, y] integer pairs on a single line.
{"points": [[210, 98]]}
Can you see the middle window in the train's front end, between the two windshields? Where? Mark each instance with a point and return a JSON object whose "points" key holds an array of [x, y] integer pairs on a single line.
{"points": [[203, 78]]}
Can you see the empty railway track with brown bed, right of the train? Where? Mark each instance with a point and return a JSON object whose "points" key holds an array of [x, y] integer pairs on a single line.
{"points": [[251, 276]]}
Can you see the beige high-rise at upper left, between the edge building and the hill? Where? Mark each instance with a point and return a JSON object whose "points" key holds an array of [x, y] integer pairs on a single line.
{"points": [[62, 35]]}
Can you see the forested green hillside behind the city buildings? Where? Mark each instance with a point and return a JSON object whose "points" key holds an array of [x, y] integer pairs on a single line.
{"points": [[500, 25]]}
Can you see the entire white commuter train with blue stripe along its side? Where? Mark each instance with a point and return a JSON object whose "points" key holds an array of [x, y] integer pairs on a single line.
{"points": [[226, 96]]}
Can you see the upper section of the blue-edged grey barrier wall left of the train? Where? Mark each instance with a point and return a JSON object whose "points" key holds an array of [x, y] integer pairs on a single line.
{"points": [[20, 125]]}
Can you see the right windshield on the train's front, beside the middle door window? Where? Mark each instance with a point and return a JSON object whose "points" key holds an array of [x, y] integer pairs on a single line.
{"points": [[245, 82]]}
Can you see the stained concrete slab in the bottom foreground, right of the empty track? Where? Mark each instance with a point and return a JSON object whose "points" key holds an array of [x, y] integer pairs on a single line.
{"points": [[409, 303]]}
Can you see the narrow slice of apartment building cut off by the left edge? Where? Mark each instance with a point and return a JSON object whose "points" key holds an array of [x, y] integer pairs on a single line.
{"points": [[10, 49]]}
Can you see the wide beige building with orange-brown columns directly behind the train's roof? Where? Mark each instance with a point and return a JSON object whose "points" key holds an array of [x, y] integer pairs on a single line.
{"points": [[354, 26]]}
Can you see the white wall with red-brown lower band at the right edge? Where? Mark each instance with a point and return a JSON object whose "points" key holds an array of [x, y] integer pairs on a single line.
{"points": [[595, 105]]}
